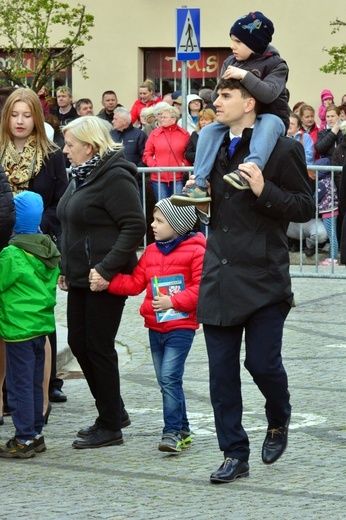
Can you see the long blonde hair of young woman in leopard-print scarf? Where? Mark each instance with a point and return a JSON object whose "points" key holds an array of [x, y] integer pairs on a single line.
{"points": [[32, 100]]}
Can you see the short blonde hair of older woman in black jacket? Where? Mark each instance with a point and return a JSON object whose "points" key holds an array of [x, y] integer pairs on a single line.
{"points": [[92, 130]]}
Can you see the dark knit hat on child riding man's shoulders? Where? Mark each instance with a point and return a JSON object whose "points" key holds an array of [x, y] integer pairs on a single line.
{"points": [[254, 30]]}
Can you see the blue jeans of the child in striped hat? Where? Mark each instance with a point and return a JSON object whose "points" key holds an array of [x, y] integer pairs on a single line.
{"points": [[169, 351]]}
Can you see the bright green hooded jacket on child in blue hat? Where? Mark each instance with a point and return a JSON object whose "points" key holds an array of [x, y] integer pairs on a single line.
{"points": [[29, 269]]}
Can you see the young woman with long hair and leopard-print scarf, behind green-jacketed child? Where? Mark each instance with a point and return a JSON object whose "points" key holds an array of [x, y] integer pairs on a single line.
{"points": [[32, 162]]}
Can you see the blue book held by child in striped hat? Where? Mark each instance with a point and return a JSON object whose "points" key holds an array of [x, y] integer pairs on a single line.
{"points": [[169, 285]]}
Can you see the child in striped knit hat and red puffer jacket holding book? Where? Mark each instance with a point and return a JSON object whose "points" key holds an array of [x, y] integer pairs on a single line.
{"points": [[178, 252]]}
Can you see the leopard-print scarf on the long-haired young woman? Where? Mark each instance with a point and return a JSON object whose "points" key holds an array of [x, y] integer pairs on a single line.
{"points": [[20, 168]]}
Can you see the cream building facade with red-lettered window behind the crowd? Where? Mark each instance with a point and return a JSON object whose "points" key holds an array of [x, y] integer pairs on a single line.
{"points": [[136, 39]]}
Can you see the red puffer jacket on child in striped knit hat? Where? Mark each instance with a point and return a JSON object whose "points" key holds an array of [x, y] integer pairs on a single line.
{"points": [[186, 259]]}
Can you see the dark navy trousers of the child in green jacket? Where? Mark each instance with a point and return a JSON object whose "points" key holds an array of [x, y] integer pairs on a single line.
{"points": [[24, 378]]}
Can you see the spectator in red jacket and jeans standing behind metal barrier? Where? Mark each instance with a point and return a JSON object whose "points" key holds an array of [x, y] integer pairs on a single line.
{"points": [[166, 146]]}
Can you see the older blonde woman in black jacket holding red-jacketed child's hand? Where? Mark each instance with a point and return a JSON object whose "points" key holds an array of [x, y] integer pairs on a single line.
{"points": [[102, 226]]}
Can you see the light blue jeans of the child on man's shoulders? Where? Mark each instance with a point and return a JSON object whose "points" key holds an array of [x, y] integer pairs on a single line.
{"points": [[267, 130]]}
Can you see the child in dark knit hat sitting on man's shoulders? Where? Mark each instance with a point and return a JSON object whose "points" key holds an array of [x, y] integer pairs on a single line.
{"points": [[262, 71]]}
